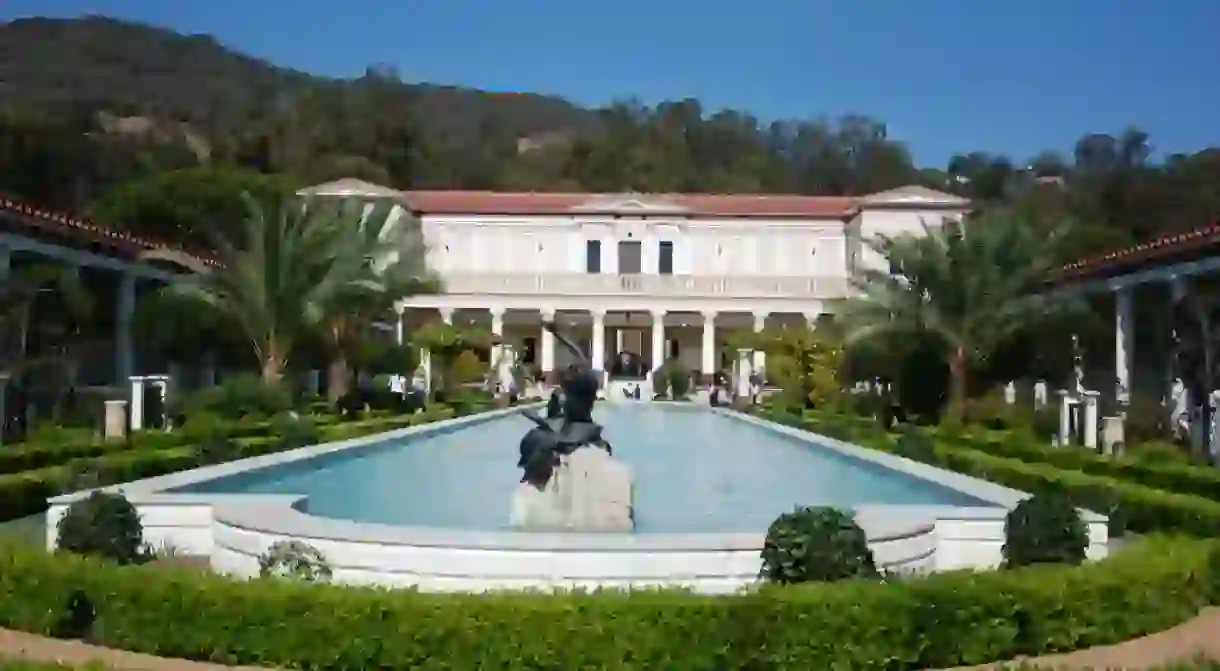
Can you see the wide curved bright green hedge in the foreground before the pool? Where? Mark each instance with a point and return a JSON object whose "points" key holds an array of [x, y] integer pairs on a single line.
{"points": [[938, 622]]}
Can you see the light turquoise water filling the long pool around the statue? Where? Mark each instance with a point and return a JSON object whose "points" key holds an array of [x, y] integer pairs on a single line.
{"points": [[696, 472]]}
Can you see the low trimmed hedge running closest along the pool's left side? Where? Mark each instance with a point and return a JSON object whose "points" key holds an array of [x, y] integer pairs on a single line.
{"points": [[26, 493]]}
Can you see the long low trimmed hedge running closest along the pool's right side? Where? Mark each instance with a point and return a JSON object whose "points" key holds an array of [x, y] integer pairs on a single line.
{"points": [[1132, 507]]}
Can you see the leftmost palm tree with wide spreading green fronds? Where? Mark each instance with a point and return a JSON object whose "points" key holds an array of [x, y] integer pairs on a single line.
{"points": [[285, 279]]}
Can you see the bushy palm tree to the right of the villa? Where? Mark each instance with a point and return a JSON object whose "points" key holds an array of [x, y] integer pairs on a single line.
{"points": [[971, 290]]}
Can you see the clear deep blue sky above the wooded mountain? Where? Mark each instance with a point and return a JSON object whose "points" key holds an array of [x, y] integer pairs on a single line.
{"points": [[1008, 76]]}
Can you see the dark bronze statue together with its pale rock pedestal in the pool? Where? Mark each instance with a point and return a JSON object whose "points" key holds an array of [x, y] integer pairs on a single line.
{"points": [[570, 480]]}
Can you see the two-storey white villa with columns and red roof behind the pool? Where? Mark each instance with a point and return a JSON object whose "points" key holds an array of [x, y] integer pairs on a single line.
{"points": [[655, 275]]}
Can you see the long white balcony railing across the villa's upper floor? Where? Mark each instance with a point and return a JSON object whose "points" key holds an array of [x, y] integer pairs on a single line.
{"points": [[650, 285]]}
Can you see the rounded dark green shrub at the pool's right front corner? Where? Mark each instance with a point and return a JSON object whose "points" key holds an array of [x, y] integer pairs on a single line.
{"points": [[1045, 529]]}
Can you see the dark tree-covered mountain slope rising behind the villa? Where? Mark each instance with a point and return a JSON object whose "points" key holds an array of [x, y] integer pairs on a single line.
{"points": [[90, 104]]}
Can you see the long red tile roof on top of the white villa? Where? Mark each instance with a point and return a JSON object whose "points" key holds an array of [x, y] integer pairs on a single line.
{"points": [[713, 206]]}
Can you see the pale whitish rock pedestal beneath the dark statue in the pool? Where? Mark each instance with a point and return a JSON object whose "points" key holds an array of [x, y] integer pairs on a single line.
{"points": [[590, 492]]}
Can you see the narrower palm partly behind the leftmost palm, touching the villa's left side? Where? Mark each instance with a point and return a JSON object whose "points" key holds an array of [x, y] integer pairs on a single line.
{"points": [[397, 268]]}
